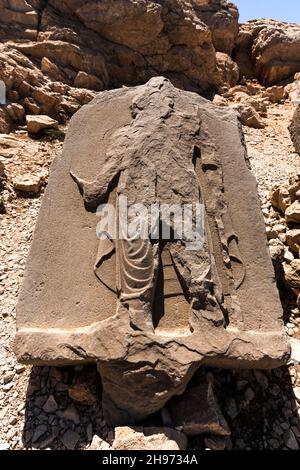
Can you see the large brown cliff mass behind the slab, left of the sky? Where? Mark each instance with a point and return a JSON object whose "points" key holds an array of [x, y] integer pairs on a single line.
{"points": [[98, 45]]}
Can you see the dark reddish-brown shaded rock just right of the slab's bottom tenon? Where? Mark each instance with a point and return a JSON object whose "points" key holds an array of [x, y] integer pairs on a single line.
{"points": [[197, 412]]}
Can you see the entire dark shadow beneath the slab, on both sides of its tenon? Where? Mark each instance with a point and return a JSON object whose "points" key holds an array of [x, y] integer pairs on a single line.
{"points": [[259, 406]]}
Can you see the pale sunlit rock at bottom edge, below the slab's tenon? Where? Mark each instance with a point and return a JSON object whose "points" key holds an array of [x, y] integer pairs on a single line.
{"points": [[149, 439]]}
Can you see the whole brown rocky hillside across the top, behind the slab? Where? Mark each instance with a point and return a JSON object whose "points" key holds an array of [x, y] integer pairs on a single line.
{"points": [[55, 54]]}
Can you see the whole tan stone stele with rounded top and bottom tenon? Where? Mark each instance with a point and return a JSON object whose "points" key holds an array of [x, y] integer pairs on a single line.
{"points": [[150, 311]]}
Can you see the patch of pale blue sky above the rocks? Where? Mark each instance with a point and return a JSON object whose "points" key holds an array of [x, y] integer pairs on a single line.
{"points": [[284, 10]]}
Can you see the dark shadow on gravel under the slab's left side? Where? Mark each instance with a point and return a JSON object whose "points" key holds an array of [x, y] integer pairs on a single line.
{"points": [[53, 419]]}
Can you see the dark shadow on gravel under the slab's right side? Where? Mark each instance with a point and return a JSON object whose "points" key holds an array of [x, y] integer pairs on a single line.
{"points": [[259, 407]]}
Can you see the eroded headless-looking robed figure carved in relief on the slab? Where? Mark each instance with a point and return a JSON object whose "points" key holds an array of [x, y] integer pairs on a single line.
{"points": [[153, 163]]}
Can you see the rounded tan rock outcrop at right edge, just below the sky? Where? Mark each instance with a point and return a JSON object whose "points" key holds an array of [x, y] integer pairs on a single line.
{"points": [[268, 50]]}
